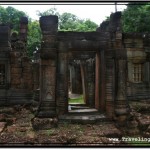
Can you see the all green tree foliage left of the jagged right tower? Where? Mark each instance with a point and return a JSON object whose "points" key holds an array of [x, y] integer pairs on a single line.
{"points": [[67, 22]]}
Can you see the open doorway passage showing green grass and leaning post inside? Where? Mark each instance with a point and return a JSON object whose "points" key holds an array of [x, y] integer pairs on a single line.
{"points": [[81, 81]]}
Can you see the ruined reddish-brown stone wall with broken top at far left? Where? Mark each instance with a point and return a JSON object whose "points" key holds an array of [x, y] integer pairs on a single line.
{"points": [[18, 67]]}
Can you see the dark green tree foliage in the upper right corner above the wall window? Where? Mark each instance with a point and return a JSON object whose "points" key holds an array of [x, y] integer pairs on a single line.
{"points": [[136, 18]]}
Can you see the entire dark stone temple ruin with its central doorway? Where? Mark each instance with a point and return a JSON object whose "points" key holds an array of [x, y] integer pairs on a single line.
{"points": [[108, 66]]}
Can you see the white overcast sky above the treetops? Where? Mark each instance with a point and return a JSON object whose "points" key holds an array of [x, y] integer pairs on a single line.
{"points": [[96, 12]]}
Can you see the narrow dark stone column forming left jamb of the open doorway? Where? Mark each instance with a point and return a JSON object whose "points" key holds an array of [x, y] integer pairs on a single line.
{"points": [[62, 80]]}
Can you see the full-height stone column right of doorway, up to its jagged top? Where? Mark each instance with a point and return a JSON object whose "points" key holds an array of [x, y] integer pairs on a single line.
{"points": [[118, 64]]}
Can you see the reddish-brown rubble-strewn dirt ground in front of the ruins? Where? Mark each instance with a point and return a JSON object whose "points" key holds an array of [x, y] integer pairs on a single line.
{"points": [[16, 130]]}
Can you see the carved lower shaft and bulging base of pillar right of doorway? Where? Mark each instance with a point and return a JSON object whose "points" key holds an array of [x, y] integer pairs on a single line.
{"points": [[121, 109]]}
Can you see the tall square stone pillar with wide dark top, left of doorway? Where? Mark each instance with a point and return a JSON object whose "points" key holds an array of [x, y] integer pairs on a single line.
{"points": [[48, 63]]}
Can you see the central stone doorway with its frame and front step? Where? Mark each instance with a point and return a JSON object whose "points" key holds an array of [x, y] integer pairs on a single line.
{"points": [[88, 65]]}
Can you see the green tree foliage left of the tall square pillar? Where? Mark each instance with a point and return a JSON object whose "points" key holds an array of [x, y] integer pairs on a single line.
{"points": [[12, 16]]}
